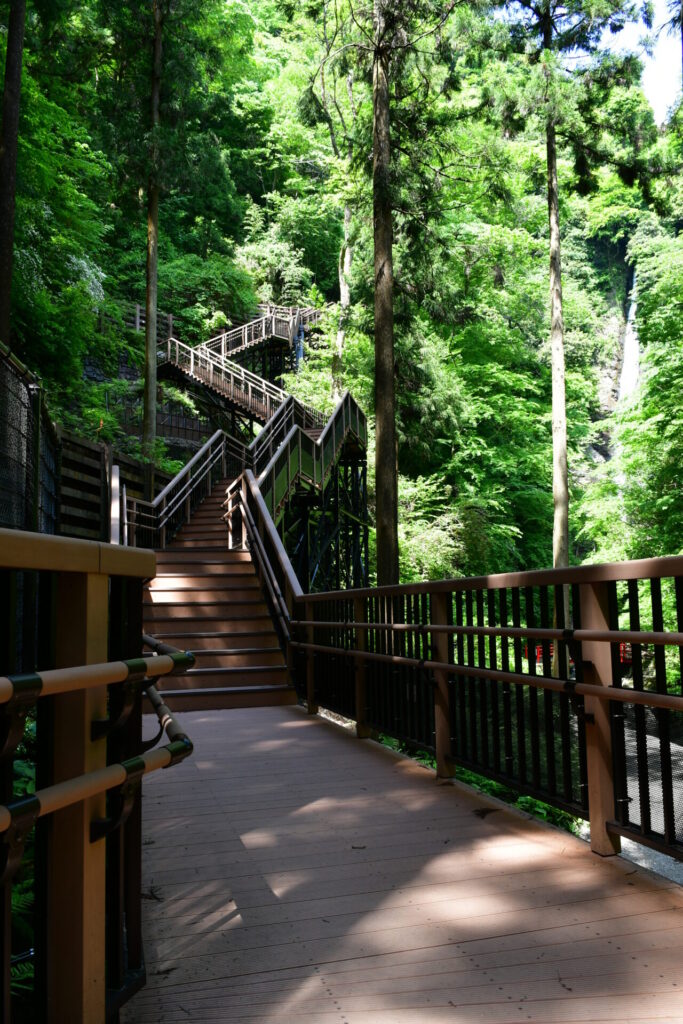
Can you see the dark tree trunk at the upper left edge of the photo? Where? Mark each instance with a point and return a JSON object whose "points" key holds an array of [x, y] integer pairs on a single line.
{"points": [[9, 144]]}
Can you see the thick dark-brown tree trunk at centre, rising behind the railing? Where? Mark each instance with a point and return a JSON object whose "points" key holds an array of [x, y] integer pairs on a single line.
{"points": [[386, 459]]}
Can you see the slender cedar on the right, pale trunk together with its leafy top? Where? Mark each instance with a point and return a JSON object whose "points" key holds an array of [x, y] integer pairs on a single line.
{"points": [[551, 31]]}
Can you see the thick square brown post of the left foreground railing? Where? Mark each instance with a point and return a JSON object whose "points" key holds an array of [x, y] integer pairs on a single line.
{"points": [[76, 867]]}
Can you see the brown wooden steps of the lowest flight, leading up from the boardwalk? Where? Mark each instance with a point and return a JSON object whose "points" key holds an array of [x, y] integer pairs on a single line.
{"points": [[209, 601]]}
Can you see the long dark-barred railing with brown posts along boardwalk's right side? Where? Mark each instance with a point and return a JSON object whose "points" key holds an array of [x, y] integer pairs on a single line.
{"points": [[531, 678]]}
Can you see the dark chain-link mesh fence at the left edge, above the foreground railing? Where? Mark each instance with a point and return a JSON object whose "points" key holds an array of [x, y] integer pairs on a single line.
{"points": [[29, 462]]}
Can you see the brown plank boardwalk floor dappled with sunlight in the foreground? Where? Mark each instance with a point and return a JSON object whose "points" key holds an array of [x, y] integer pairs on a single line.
{"points": [[294, 874]]}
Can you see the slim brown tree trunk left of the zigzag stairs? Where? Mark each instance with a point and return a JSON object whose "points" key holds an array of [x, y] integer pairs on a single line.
{"points": [[150, 411]]}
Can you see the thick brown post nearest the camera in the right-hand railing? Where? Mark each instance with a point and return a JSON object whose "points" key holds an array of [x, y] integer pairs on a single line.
{"points": [[596, 658]]}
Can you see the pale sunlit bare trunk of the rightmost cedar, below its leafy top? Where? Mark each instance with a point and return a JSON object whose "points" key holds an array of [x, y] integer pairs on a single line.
{"points": [[561, 476]]}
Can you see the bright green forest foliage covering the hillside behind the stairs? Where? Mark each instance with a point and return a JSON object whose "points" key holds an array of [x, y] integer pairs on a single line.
{"points": [[262, 158]]}
